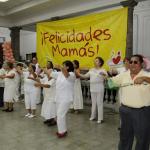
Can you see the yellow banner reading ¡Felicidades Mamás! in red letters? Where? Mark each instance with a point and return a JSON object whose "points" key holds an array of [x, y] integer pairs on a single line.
{"points": [[84, 38]]}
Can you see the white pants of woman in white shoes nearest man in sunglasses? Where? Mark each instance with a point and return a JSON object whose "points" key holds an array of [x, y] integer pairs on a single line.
{"points": [[97, 104]]}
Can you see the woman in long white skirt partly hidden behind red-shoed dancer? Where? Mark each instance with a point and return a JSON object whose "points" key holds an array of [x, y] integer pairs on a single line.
{"points": [[78, 98]]}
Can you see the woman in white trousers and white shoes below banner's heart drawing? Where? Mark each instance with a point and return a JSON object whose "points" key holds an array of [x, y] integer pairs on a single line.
{"points": [[96, 76]]}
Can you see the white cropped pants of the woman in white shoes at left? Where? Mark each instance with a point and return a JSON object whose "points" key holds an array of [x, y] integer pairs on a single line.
{"points": [[30, 100]]}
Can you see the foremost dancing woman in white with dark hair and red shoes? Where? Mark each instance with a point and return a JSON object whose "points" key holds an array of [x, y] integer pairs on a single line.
{"points": [[64, 95]]}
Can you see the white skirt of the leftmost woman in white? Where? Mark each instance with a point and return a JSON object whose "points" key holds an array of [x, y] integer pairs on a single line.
{"points": [[9, 93]]}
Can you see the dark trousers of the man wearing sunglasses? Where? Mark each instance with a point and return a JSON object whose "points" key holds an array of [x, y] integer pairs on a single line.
{"points": [[134, 123]]}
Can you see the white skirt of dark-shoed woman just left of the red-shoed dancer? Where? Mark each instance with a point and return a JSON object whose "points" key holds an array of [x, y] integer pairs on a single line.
{"points": [[48, 109]]}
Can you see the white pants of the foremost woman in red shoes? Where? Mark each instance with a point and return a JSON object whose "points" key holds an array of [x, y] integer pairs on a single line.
{"points": [[62, 109]]}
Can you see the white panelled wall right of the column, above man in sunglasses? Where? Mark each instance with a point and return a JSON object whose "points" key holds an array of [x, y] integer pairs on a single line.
{"points": [[141, 26]]}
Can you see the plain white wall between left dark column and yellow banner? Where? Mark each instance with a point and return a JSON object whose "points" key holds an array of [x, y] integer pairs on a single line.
{"points": [[27, 43]]}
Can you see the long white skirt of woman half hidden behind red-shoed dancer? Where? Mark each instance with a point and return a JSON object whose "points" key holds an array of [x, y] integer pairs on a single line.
{"points": [[78, 98]]}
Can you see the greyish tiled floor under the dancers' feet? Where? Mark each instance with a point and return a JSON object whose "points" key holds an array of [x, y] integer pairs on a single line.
{"points": [[19, 133]]}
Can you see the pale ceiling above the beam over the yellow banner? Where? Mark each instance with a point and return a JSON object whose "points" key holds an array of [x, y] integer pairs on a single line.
{"points": [[28, 12]]}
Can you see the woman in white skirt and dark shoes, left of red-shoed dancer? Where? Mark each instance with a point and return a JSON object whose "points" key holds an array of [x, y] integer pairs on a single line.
{"points": [[48, 110]]}
